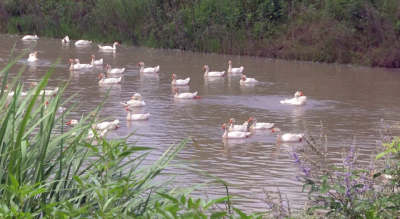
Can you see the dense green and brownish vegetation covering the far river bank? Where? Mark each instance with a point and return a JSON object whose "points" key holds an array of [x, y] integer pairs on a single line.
{"points": [[345, 31]]}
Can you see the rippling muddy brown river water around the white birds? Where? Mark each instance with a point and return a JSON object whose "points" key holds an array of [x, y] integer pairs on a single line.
{"points": [[350, 101]]}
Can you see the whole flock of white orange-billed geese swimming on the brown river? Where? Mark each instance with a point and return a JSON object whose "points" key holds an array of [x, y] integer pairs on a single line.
{"points": [[231, 130]]}
